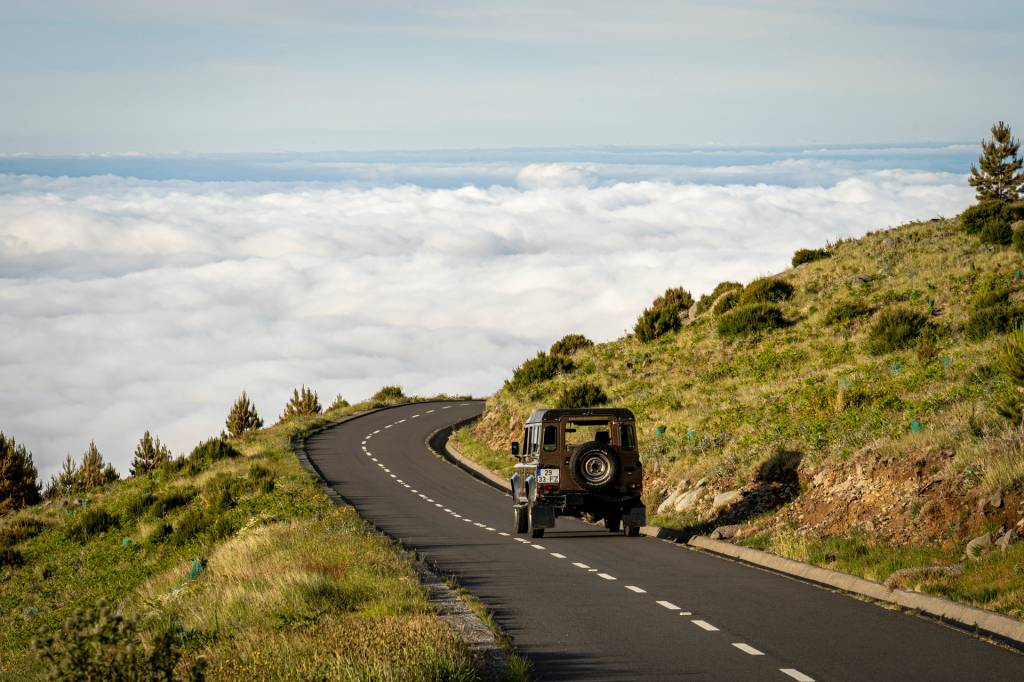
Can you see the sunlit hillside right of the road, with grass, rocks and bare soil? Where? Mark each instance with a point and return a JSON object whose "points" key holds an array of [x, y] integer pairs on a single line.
{"points": [[848, 454]]}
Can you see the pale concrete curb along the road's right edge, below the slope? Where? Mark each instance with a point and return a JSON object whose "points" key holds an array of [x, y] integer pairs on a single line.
{"points": [[970, 618]]}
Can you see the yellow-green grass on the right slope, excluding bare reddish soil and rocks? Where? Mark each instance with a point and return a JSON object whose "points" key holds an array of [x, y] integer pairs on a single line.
{"points": [[815, 388]]}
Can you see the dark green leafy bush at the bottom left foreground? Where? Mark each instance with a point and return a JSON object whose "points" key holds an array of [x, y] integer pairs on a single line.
{"points": [[100, 645]]}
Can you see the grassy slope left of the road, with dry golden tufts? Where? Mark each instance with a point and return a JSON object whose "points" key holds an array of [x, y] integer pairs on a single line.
{"points": [[240, 562]]}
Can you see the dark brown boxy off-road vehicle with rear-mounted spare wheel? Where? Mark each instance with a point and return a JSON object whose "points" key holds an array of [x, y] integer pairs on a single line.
{"points": [[581, 463]]}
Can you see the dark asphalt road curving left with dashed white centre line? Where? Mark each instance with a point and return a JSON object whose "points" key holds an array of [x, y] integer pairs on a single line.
{"points": [[585, 605]]}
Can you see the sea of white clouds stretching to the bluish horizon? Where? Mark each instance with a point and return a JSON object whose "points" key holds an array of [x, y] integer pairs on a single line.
{"points": [[151, 303]]}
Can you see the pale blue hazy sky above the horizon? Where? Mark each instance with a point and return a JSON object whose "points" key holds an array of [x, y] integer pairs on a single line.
{"points": [[97, 76]]}
